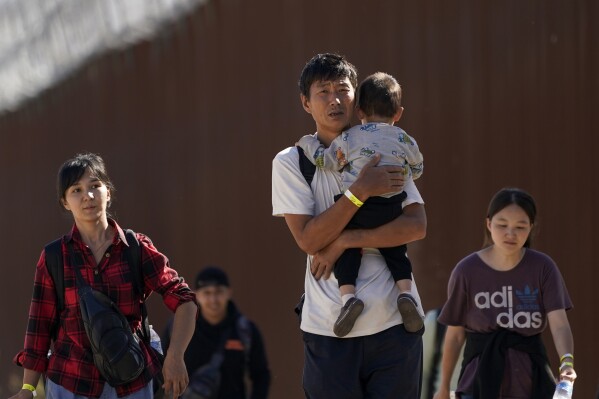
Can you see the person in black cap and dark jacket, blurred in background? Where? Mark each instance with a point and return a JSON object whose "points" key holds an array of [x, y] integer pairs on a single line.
{"points": [[225, 346]]}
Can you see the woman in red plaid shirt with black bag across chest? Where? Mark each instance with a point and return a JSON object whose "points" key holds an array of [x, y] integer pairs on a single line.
{"points": [[85, 190]]}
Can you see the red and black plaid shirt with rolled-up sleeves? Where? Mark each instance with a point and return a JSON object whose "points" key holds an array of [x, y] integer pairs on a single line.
{"points": [[71, 364]]}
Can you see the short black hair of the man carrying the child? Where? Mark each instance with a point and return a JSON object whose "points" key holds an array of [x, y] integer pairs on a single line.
{"points": [[325, 67]]}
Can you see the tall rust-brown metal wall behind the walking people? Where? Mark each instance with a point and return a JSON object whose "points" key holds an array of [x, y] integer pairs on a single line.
{"points": [[496, 93]]}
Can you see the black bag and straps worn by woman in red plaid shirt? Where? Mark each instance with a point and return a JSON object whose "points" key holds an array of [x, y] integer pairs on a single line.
{"points": [[105, 325]]}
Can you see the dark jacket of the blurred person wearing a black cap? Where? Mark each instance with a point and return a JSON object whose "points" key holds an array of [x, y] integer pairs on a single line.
{"points": [[206, 340]]}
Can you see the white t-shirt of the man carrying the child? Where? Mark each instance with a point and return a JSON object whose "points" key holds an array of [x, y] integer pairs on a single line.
{"points": [[374, 286]]}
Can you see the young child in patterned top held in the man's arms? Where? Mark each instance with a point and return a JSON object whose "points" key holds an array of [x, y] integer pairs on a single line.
{"points": [[378, 103]]}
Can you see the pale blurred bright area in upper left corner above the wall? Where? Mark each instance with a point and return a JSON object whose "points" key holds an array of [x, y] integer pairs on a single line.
{"points": [[43, 41]]}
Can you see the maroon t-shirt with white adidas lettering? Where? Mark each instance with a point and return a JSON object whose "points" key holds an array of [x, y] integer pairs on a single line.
{"points": [[482, 299]]}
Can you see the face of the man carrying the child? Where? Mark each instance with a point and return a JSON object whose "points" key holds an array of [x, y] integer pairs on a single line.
{"points": [[331, 105]]}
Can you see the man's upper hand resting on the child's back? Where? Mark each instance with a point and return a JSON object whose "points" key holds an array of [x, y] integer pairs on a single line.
{"points": [[377, 180]]}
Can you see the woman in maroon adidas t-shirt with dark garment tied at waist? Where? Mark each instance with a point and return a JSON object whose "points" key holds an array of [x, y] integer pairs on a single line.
{"points": [[500, 299]]}
